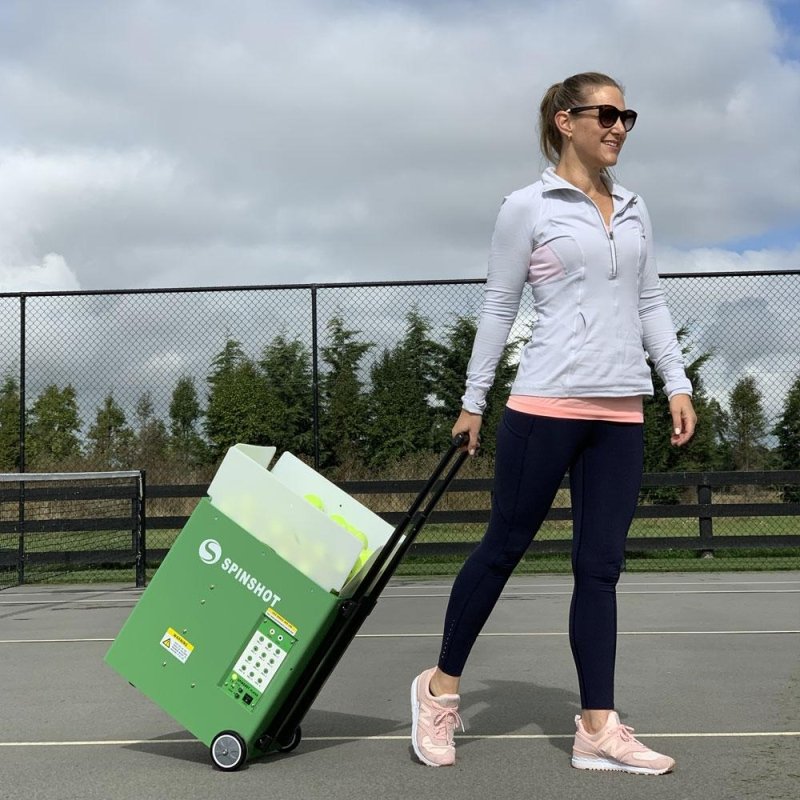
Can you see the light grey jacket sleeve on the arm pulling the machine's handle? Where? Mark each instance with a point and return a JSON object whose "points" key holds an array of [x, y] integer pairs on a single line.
{"points": [[509, 261]]}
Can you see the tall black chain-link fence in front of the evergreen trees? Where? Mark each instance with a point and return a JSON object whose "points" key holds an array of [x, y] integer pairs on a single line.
{"points": [[148, 379]]}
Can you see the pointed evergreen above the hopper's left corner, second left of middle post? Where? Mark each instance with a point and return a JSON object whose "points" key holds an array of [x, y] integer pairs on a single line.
{"points": [[236, 410]]}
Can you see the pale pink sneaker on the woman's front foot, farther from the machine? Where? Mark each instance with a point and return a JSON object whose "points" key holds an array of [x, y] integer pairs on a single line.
{"points": [[615, 748]]}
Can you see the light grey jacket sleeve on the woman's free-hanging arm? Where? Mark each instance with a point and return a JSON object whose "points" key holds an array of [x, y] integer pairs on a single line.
{"points": [[658, 331]]}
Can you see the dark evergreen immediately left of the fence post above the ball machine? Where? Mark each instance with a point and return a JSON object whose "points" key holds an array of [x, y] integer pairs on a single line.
{"points": [[286, 366]]}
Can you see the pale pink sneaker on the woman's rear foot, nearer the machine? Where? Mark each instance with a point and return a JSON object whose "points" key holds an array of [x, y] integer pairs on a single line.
{"points": [[434, 720]]}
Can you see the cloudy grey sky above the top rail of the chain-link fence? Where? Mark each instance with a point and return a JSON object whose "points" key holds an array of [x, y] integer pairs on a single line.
{"points": [[170, 143]]}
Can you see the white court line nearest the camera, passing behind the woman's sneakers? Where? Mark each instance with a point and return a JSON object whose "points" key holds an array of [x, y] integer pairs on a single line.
{"points": [[406, 737]]}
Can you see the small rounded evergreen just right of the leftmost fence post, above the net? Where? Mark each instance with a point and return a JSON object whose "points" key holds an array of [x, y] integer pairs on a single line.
{"points": [[52, 430]]}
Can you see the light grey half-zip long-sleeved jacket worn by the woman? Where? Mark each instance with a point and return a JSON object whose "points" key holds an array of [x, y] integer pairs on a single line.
{"points": [[598, 301]]}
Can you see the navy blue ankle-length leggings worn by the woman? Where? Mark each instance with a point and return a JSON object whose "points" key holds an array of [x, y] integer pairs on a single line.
{"points": [[604, 460]]}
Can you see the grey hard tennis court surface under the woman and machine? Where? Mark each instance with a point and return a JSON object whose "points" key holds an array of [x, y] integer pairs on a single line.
{"points": [[708, 671]]}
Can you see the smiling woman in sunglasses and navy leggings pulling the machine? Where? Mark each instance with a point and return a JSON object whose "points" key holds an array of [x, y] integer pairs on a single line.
{"points": [[585, 246]]}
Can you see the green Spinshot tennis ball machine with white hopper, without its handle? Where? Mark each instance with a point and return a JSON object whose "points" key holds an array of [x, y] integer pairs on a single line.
{"points": [[251, 591]]}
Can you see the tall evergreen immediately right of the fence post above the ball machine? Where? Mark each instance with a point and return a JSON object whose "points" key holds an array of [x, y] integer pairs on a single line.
{"points": [[343, 400]]}
